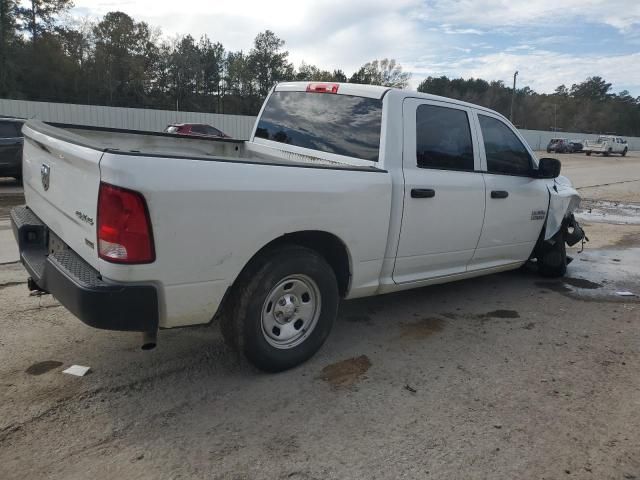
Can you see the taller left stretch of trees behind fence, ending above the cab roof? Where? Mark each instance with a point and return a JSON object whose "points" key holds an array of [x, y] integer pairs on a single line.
{"points": [[118, 61]]}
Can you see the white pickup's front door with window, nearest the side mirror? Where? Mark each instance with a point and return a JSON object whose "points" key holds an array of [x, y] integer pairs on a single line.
{"points": [[516, 201]]}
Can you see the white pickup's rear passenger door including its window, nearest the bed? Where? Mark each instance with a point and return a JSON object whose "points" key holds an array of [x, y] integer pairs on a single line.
{"points": [[443, 193]]}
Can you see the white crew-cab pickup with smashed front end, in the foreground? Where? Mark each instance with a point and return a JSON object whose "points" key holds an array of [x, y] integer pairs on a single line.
{"points": [[342, 191]]}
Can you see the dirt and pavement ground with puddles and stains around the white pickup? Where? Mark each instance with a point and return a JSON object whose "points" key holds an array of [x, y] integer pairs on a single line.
{"points": [[509, 376]]}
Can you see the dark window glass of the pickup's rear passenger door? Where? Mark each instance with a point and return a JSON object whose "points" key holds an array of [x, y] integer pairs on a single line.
{"points": [[443, 138]]}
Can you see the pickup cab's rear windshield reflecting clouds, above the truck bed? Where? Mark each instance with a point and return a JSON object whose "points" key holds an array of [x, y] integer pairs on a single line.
{"points": [[340, 124]]}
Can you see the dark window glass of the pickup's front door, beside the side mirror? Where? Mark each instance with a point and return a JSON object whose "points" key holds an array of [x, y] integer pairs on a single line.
{"points": [[505, 152]]}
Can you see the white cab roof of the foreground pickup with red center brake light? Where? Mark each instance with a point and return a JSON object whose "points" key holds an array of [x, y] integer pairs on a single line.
{"points": [[372, 91]]}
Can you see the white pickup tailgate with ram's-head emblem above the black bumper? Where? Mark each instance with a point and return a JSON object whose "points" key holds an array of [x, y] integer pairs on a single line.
{"points": [[61, 173]]}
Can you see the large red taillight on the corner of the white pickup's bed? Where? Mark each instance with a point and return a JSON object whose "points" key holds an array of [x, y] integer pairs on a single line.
{"points": [[124, 228]]}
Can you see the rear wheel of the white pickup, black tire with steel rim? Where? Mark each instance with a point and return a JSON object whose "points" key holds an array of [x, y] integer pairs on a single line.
{"points": [[283, 308]]}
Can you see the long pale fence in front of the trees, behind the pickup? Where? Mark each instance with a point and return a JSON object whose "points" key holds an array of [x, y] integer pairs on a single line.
{"points": [[238, 126]]}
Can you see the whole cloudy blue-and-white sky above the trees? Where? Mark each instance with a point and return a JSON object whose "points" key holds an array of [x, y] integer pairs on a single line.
{"points": [[549, 42]]}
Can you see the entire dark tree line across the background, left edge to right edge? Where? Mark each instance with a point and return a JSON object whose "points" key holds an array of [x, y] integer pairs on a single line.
{"points": [[118, 61]]}
